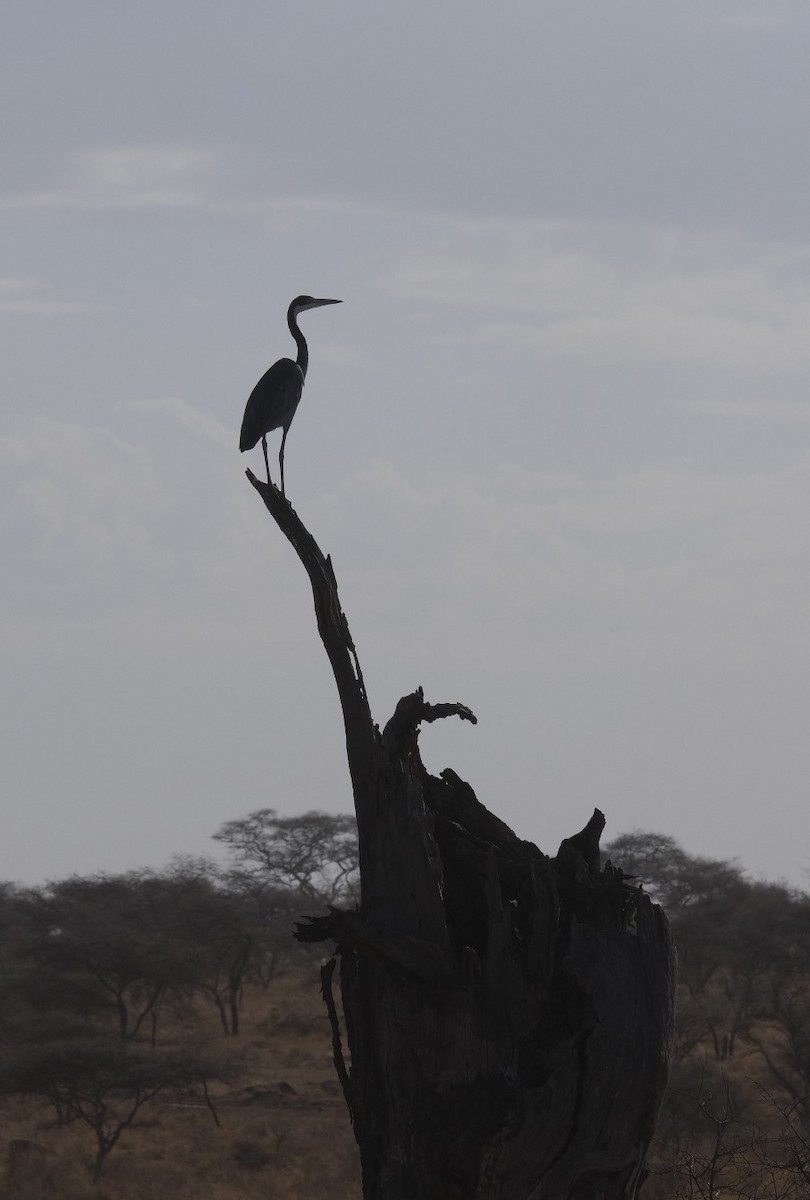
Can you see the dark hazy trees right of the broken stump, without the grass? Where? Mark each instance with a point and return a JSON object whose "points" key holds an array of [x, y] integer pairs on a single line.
{"points": [[743, 955]]}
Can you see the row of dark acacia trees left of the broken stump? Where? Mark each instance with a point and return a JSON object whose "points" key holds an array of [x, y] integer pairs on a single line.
{"points": [[91, 967]]}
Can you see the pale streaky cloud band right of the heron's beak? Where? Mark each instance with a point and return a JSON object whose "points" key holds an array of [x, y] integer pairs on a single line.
{"points": [[614, 292]]}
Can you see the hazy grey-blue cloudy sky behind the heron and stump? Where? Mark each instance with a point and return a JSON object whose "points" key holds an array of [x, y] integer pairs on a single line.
{"points": [[556, 439]]}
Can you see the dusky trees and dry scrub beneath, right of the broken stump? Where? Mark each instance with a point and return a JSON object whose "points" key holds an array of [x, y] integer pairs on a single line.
{"points": [[736, 1118]]}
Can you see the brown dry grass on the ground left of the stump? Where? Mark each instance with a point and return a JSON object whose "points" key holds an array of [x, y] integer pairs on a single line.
{"points": [[285, 1132]]}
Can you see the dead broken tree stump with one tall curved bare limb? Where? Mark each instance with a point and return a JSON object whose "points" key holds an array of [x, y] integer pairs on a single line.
{"points": [[509, 1016]]}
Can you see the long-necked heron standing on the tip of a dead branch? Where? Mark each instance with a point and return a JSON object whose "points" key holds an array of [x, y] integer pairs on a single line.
{"points": [[273, 403]]}
